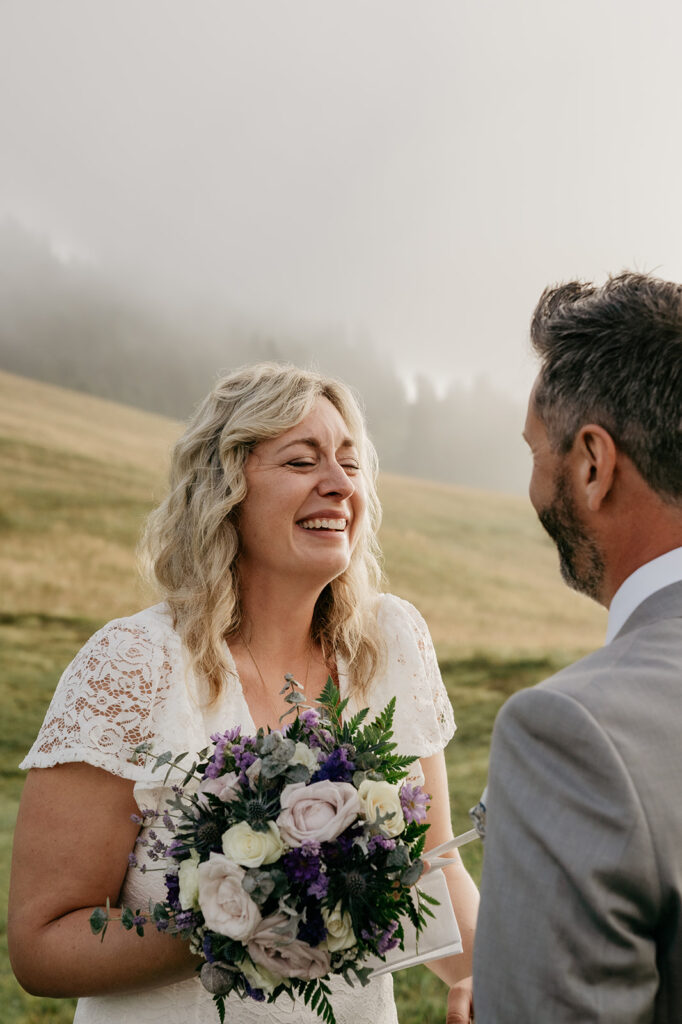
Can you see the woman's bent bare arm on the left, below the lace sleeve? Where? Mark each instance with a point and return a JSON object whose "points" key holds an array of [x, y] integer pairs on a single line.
{"points": [[74, 834]]}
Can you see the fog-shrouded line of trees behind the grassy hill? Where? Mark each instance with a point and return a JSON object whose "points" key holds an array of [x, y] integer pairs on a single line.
{"points": [[66, 323]]}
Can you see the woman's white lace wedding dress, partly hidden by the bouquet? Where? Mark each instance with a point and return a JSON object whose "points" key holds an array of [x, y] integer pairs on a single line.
{"points": [[133, 681]]}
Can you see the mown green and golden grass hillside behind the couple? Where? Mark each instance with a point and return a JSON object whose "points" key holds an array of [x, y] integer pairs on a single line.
{"points": [[77, 479]]}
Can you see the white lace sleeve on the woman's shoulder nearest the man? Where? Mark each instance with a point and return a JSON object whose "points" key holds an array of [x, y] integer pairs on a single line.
{"points": [[424, 722]]}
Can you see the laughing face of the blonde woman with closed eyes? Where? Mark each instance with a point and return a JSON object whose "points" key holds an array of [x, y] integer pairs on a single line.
{"points": [[305, 504]]}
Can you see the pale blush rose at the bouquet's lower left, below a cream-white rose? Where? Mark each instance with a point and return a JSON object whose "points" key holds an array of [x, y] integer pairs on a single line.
{"points": [[227, 908]]}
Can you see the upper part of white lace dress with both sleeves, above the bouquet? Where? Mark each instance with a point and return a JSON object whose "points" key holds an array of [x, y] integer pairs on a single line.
{"points": [[134, 681]]}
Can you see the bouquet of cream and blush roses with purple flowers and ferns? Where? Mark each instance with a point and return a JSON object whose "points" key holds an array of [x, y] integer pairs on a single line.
{"points": [[294, 855]]}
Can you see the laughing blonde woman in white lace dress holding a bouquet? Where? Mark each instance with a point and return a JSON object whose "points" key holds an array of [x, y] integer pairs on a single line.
{"points": [[266, 553]]}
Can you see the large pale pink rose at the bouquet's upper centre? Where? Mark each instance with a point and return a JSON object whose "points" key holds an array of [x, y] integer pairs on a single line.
{"points": [[317, 814]]}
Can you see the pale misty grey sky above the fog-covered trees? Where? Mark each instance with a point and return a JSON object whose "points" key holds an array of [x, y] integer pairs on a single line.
{"points": [[410, 173]]}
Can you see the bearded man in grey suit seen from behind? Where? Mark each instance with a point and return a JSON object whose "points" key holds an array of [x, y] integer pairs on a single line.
{"points": [[581, 915]]}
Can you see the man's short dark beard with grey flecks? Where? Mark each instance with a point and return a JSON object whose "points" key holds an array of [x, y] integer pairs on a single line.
{"points": [[581, 561]]}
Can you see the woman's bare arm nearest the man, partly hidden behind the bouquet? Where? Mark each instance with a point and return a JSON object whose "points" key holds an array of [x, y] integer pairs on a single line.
{"points": [[455, 971]]}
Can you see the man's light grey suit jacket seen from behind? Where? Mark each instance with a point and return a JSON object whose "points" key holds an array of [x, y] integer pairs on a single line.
{"points": [[581, 914]]}
